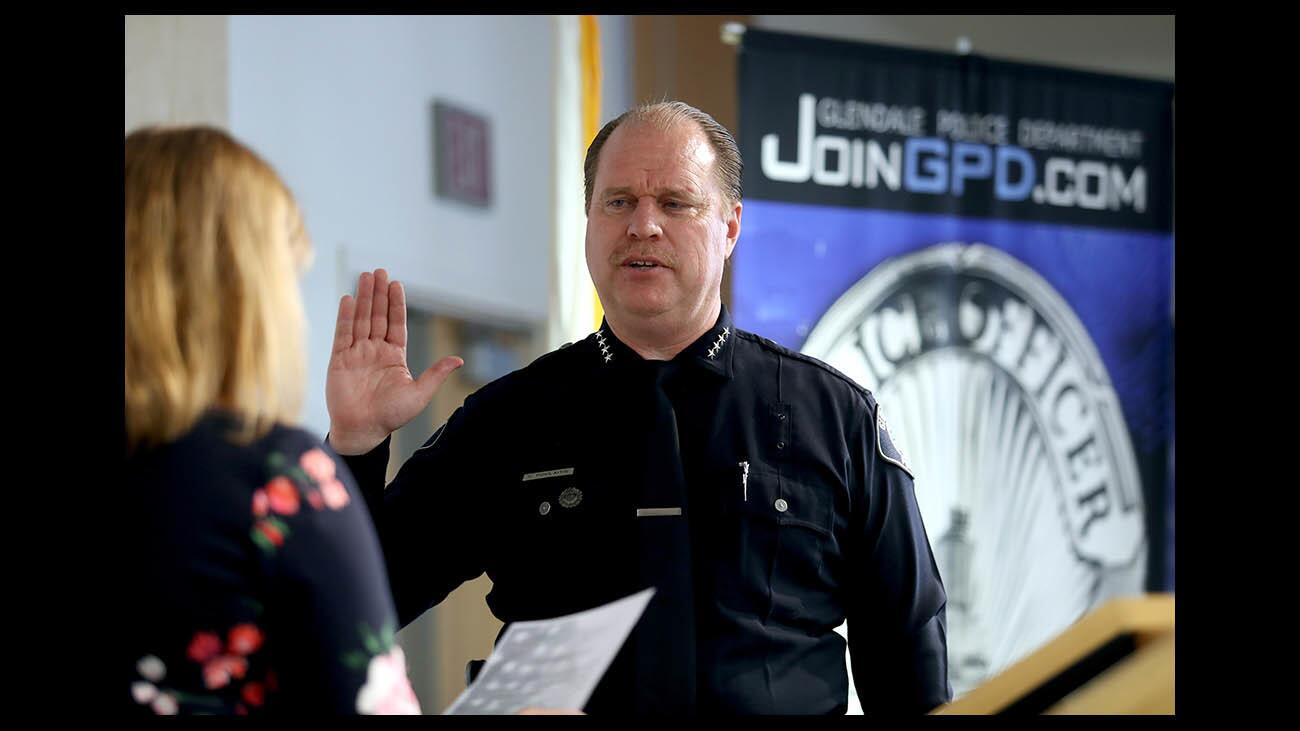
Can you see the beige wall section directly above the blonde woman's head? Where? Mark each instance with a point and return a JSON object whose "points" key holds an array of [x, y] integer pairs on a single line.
{"points": [[176, 71]]}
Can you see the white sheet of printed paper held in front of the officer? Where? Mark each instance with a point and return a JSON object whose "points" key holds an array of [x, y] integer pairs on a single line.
{"points": [[552, 664]]}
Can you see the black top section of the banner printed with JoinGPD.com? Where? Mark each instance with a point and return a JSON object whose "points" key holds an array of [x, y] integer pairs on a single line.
{"points": [[954, 135]]}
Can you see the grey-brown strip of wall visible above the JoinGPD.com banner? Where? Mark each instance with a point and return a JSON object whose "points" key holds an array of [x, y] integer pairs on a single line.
{"points": [[1141, 46]]}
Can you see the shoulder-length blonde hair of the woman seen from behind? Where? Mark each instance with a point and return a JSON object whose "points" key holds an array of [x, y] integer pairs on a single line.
{"points": [[215, 245]]}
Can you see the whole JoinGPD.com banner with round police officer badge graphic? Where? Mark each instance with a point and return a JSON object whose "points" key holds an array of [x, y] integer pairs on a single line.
{"points": [[989, 248]]}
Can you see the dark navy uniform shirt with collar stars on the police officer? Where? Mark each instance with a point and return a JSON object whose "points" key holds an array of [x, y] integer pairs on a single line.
{"points": [[801, 514]]}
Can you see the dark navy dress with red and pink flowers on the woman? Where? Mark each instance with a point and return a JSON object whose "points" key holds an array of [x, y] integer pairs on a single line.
{"points": [[255, 583]]}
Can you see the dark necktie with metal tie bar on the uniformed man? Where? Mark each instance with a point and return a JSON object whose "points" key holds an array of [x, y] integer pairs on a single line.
{"points": [[665, 639]]}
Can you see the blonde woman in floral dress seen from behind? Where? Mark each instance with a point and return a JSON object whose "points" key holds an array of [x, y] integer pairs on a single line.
{"points": [[257, 582]]}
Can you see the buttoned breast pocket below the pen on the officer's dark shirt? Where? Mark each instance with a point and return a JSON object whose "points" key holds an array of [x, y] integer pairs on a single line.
{"points": [[786, 530]]}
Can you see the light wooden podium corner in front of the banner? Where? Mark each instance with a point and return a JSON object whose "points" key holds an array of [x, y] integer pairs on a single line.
{"points": [[1117, 660]]}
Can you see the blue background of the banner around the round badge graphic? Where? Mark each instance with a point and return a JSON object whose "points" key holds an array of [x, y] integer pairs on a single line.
{"points": [[795, 261]]}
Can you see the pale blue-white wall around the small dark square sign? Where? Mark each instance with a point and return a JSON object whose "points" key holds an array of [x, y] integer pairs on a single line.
{"points": [[343, 107]]}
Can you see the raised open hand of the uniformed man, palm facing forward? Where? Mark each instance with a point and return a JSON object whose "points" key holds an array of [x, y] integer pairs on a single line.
{"points": [[370, 391]]}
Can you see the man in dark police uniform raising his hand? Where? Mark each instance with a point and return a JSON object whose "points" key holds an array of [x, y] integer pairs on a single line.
{"points": [[756, 488]]}
